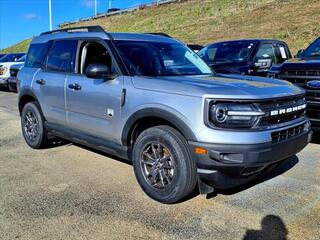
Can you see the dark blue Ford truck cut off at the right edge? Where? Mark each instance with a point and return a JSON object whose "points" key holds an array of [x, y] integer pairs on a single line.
{"points": [[304, 71]]}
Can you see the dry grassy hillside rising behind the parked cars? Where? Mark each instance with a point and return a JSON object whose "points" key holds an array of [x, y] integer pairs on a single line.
{"points": [[204, 21]]}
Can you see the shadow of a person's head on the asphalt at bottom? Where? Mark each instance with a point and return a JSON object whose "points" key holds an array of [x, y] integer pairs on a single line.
{"points": [[272, 228]]}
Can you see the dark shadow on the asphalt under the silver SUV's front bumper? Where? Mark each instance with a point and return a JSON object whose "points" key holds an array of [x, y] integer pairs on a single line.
{"points": [[280, 169]]}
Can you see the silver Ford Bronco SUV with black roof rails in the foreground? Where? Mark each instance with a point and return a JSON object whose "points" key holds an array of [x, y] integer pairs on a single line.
{"points": [[150, 99]]}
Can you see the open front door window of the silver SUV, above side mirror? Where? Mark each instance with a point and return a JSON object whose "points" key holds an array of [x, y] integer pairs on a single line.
{"points": [[93, 53]]}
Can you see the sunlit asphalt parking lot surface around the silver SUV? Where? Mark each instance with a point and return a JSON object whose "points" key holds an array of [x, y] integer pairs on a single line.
{"points": [[68, 192]]}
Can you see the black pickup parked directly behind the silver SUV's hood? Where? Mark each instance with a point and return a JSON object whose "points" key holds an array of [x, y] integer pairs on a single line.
{"points": [[248, 56]]}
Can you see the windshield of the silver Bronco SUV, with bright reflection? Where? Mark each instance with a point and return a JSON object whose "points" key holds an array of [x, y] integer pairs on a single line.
{"points": [[144, 58]]}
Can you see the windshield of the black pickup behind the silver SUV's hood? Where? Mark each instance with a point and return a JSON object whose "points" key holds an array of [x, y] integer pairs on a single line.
{"points": [[228, 51]]}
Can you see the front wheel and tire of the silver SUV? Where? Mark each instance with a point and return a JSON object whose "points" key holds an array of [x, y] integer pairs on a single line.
{"points": [[182, 173]]}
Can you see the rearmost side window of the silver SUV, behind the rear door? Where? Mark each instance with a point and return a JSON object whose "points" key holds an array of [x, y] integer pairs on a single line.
{"points": [[37, 54]]}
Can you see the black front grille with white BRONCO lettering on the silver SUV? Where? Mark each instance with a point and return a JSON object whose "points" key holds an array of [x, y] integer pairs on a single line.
{"points": [[277, 104]]}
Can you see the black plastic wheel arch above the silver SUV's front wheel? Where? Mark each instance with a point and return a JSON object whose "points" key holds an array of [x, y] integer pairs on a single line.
{"points": [[150, 117]]}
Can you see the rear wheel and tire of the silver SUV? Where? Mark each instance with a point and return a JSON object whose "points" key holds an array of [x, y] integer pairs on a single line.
{"points": [[39, 139]]}
